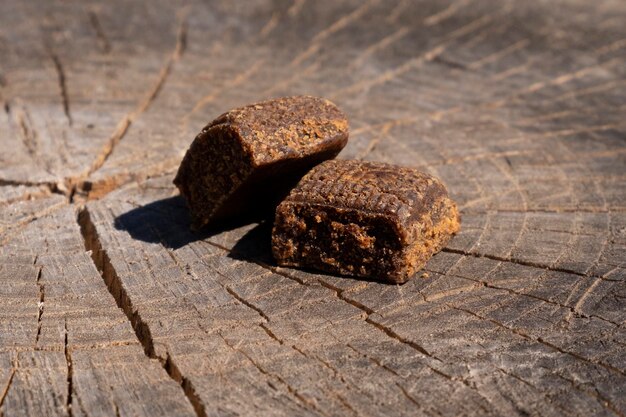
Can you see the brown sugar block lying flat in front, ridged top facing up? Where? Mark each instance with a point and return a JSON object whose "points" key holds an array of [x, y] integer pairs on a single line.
{"points": [[365, 219]]}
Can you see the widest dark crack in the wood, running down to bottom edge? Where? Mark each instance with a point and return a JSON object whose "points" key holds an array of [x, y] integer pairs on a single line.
{"points": [[142, 330]]}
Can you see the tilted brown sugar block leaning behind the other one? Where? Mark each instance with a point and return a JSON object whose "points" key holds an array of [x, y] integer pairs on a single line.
{"points": [[248, 159]]}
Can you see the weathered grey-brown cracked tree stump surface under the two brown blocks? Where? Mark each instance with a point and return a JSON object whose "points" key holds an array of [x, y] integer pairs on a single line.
{"points": [[110, 306]]}
